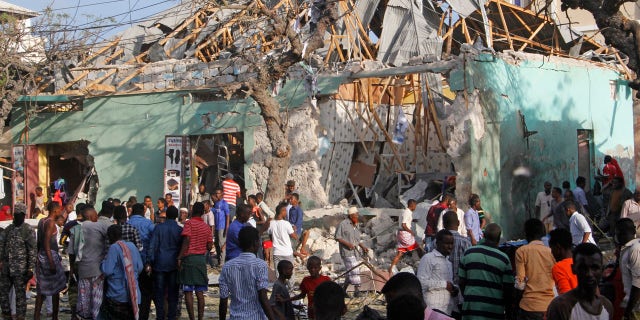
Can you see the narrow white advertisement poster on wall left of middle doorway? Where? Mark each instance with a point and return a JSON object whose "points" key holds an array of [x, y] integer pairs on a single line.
{"points": [[173, 167]]}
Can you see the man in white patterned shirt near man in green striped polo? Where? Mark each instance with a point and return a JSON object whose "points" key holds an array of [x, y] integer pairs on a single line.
{"points": [[436, 275]]}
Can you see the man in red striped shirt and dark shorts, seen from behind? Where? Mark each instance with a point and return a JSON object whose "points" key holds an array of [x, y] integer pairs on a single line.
{"points": [[192, 265]]}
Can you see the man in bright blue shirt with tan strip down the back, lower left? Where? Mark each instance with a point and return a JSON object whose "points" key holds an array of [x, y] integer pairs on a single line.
{"points": [[120, 267]]}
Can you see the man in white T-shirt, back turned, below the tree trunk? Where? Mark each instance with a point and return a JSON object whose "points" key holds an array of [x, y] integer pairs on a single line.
{"points": [[281, 233]]}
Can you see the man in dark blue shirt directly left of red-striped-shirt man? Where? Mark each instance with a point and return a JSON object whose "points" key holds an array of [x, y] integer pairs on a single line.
{"points": [[166, 241]]}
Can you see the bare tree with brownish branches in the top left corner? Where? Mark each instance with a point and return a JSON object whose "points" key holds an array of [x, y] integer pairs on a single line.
{"points": [[30, 52]]}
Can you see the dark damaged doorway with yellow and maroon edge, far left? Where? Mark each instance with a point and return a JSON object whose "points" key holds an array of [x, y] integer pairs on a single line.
{"points": [[71, 162]]}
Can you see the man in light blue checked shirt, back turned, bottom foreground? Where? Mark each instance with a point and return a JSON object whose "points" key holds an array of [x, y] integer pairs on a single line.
{"points": [[245, 280]]}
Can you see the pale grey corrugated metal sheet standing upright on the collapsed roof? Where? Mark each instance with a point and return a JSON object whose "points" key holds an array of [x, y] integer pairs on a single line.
{"points": [[406, 33]]}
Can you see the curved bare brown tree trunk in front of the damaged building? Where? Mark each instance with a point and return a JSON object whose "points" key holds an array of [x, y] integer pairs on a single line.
{"points": [[277, 132]]}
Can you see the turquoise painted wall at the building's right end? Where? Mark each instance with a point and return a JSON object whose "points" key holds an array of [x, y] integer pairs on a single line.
{"points": [[556, 98]]}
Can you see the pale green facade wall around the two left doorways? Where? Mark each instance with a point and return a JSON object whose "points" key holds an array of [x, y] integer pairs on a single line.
{"points": [[126, 132]]}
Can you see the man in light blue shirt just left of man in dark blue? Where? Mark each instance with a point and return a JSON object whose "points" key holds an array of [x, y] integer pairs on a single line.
{"points": [[145, 229]]}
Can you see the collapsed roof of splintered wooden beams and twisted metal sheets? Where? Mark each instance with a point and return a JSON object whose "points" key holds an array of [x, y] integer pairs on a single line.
{"points": [[390, 31]]}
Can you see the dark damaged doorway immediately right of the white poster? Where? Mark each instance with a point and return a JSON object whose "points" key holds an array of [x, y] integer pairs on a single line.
{"points": [[216, 155]]}
